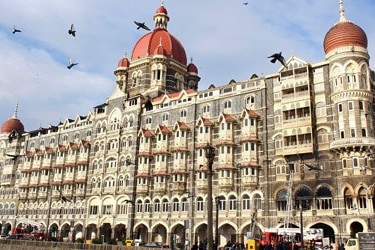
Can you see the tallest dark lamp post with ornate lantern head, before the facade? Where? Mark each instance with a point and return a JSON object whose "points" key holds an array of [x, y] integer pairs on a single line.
{"points": [[210, 154]]}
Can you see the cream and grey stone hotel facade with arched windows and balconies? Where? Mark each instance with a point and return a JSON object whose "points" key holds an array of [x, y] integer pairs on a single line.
{"points": [[135, 167]]}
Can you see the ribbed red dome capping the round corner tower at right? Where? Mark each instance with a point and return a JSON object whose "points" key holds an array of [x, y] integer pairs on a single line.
{"points": [[344, 34]]}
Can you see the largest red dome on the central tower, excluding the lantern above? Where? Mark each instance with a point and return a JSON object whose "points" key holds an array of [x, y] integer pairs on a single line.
{"points": [[148, 44]]}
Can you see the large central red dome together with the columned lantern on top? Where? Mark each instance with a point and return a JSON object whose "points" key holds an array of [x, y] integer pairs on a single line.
{"points": [[148, 44]]}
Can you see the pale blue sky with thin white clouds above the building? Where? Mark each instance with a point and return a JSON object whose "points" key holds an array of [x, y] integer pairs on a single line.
{"points": [[226, 39]]}
